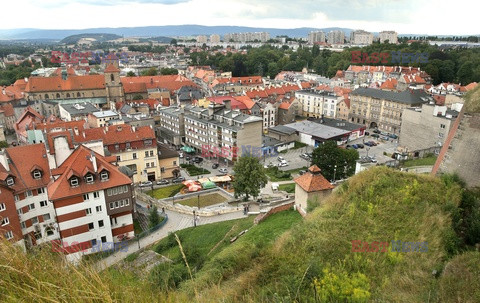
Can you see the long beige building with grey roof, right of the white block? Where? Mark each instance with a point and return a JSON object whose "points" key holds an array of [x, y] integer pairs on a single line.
{"points": [[383, 109]]}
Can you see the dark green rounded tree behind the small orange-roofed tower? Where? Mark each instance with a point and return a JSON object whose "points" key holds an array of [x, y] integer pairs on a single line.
{"points": [[335, 163]]}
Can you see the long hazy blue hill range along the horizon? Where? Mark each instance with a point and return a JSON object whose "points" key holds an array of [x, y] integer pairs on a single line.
{"points": [[156, 31]]}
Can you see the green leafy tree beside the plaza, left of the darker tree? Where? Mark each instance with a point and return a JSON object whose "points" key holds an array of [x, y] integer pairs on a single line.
{"points": [[250, 177]]}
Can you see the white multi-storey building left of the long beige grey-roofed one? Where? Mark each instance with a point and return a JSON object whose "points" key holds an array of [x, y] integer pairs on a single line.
{"points": [[318, 103]]}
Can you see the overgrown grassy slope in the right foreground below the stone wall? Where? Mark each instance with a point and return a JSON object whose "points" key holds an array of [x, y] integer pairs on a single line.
{"points": [[378, 205]]}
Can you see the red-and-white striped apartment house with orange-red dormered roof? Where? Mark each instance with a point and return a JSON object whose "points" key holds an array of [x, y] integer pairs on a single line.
{"points": [[93, 202]]}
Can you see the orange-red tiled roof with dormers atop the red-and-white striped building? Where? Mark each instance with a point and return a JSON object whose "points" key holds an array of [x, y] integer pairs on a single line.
{"points": [[75, 164]]}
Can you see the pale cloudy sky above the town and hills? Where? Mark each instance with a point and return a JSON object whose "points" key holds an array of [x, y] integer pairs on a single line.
{"points": [[403, 16]]}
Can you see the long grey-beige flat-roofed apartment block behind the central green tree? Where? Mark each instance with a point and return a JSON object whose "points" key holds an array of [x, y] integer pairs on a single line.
{"points": [[221, 132]]}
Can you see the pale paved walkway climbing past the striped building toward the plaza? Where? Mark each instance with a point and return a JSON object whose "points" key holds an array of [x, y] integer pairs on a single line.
{"points": [[176, 221]]}
